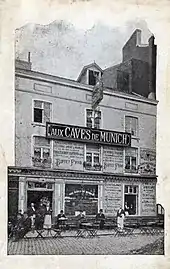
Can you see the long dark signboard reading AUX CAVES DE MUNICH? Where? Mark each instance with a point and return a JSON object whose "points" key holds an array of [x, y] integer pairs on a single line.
{"points": [[87, 135]]}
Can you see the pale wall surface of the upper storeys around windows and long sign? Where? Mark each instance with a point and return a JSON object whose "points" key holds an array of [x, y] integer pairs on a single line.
{"points": [[68, 107]]}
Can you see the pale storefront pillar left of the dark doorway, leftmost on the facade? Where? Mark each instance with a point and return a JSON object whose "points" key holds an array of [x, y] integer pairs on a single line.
{"points": [[22, 194]]}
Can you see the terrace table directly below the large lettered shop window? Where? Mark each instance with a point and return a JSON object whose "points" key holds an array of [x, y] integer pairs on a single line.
{"points": [[87, 230]]}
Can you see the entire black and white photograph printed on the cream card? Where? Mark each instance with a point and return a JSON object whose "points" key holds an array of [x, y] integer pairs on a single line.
{"points": [[84, 178]]}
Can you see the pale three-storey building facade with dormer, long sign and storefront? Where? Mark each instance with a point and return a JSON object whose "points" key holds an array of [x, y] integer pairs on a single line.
{"points": [[79, 155]]}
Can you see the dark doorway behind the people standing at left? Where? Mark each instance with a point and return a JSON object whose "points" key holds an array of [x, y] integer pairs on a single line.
{"points": [[36, 196]]}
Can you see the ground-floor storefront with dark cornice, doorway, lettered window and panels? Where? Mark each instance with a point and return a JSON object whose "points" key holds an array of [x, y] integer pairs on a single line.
{"points": [[74, 191]]}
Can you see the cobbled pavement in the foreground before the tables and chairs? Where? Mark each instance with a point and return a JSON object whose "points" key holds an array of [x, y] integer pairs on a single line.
{"points": [[105, 243]]}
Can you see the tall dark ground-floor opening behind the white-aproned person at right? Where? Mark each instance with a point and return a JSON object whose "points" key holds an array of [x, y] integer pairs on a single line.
{"points": [[131, 199]]}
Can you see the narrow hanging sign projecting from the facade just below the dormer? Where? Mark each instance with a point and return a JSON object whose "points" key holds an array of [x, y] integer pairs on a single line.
{"points": [[97, 94]]}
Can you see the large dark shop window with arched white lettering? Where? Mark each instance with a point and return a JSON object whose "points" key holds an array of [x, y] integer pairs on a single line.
{"points": [[81, 197]]}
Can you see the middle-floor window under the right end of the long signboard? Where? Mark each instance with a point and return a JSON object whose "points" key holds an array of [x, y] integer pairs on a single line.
{"points": [[131, 156]]}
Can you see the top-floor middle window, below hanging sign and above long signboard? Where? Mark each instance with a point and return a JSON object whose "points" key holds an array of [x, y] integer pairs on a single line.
{"points": [[93, 118]]}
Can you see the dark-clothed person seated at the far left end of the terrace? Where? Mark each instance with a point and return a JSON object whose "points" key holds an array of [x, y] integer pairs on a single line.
{"points": [[23, 226]]}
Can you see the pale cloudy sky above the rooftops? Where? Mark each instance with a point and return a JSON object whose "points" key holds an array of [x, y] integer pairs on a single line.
{"points": [[62, 49]]}
